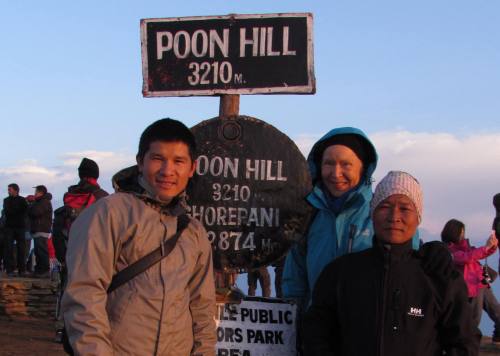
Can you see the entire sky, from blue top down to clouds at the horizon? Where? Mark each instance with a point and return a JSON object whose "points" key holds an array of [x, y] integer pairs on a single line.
{"points": [[421, 78]]}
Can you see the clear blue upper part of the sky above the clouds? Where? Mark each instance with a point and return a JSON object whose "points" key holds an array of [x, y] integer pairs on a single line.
{"points": [[423, 66]]}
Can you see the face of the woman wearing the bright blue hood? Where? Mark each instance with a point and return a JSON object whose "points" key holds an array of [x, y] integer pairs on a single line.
{"points": [[341, 169]]}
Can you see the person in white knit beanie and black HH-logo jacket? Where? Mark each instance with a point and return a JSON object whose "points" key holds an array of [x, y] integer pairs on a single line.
{"points": [[390, 299]]}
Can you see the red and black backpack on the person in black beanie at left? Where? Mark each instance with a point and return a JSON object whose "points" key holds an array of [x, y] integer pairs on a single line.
{"points": [[74, 204]]}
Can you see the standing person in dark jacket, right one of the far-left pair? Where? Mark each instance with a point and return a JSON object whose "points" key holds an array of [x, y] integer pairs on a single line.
{"points": [[40, 216]]}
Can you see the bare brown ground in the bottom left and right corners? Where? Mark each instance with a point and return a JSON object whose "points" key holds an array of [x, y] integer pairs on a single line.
{"points": [[36, 337]]}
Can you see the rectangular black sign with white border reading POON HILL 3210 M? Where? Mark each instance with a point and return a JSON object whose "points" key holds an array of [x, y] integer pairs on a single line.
{"points": [[195, 56]]}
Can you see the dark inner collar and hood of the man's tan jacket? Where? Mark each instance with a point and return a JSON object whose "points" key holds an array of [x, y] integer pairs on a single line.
{"points": [[128, 181]]}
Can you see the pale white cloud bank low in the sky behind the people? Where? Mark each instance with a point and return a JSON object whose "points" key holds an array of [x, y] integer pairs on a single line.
{"points": [[459, 175]]}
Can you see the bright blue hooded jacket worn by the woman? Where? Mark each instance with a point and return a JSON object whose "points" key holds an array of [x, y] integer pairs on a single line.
{"points": [[331, 235]]}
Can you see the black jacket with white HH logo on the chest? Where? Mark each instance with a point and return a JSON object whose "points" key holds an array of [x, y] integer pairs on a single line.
{"points": [[381, 302]]}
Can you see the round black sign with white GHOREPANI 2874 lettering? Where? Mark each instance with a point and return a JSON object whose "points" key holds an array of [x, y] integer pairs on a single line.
{"points": [[251, 199]]}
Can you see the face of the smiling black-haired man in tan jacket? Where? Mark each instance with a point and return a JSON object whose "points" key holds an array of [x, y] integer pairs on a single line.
{"points": [[167, 167]]}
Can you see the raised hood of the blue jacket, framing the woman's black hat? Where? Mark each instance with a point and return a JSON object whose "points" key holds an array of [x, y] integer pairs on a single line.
{"points": [[314, 167]]}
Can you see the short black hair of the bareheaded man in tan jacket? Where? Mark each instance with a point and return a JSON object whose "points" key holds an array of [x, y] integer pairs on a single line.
{"points": [[166, 130]]}
